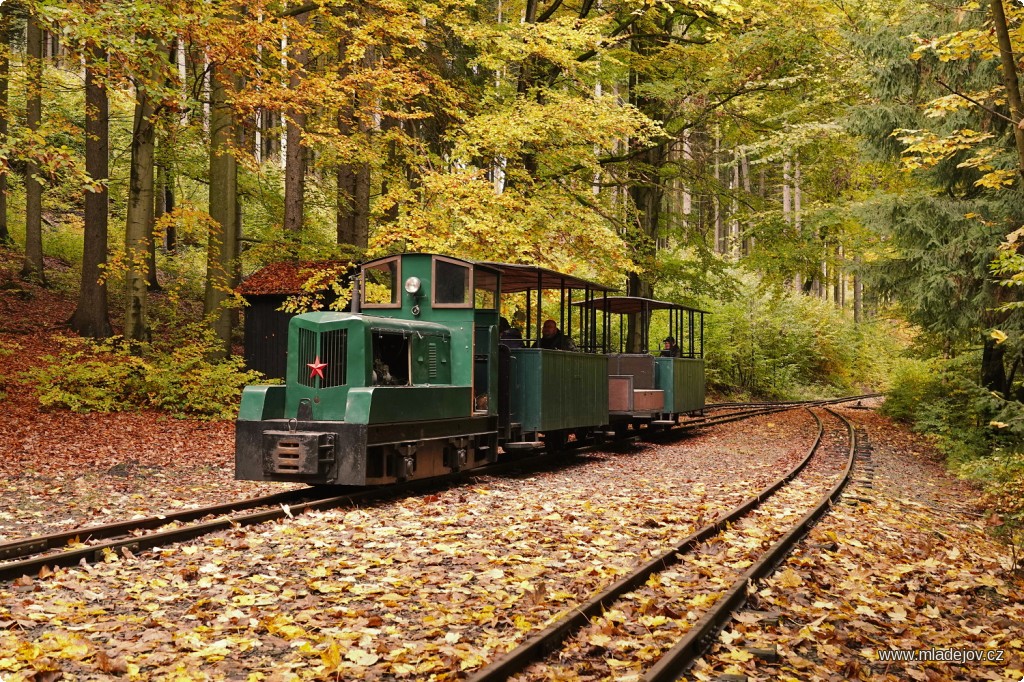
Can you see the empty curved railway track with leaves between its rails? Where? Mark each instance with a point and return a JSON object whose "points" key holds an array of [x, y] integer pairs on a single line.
{"points": [[595, 638]]}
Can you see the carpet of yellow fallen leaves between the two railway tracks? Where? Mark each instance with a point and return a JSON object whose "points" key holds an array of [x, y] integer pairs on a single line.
{"points": [[418, 588]]}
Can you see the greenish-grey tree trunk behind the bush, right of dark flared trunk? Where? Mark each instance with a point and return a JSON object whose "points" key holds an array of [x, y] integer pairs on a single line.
{"points": [[139, 231]]}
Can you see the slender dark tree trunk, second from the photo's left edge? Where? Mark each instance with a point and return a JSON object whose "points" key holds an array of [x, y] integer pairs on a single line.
{"points": [[33, 268]]}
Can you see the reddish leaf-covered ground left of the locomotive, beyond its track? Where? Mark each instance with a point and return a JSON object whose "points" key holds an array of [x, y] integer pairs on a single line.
{"points": [[61, 470]]}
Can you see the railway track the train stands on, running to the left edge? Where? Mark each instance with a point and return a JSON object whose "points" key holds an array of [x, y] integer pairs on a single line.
{"points": [[30, 557]]}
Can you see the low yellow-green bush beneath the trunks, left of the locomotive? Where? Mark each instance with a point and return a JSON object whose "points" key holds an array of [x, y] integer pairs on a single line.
{"points": [[175, 375]]}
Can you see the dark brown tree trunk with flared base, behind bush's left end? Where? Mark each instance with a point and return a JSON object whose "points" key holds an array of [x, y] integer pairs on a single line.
{"points": [[92, 318]]}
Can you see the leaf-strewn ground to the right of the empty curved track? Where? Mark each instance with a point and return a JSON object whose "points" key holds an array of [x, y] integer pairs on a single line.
{"points": [[902, 565]]}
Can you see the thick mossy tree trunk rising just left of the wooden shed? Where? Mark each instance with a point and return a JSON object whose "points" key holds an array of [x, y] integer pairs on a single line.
{"points": [[224, 244]]}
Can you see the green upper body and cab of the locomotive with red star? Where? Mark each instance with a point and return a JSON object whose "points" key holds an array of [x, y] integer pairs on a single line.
{"points": [[359, 368]]}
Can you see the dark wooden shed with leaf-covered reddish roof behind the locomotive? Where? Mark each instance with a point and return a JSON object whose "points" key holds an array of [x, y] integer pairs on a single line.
{"points": [[266, 291]]}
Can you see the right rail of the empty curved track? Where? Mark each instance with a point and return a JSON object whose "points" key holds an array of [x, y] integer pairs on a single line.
{"points": [[677, 660]]}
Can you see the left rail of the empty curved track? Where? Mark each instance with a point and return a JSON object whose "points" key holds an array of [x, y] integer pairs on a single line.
{"points": [[540, 646]]}
